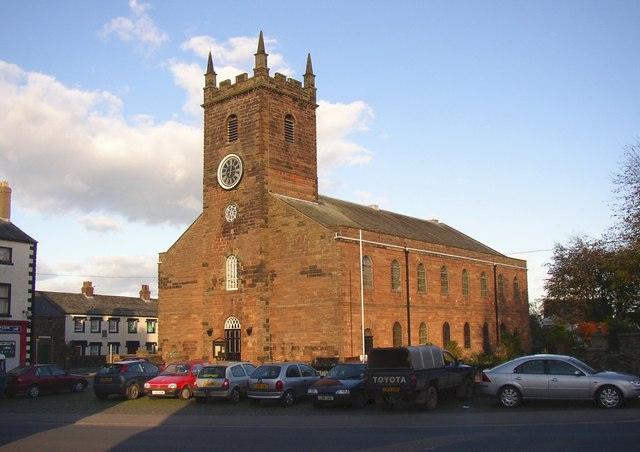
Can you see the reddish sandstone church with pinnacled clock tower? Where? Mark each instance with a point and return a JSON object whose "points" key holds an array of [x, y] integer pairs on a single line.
{"points": [[271, 270]]}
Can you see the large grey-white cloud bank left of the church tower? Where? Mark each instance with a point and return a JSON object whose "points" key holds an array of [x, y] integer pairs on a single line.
{"points": [[64, 149]]}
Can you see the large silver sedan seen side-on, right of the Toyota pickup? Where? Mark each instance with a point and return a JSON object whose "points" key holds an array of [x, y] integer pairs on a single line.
{"points": [[557, 377]]}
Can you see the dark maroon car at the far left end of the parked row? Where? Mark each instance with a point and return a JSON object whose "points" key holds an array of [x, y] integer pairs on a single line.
{"points": [[42, 379]]}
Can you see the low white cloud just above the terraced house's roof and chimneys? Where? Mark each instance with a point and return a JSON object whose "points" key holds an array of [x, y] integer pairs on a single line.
{"points": [[110, 275]]}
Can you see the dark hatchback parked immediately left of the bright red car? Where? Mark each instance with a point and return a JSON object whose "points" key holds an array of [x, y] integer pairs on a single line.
{"points": [[125, 378]]}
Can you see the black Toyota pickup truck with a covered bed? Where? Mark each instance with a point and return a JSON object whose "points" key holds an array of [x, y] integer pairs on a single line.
{"points": [[416, 374]]}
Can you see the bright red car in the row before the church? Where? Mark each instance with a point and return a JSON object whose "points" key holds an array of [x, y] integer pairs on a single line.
{"points": [[177, 379]]}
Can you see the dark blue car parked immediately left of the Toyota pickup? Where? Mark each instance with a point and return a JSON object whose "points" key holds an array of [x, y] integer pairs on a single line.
{"points": [[344, 384]]}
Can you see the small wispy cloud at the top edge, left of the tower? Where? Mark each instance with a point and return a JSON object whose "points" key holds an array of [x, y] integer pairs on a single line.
{"points": [[139, 27]]}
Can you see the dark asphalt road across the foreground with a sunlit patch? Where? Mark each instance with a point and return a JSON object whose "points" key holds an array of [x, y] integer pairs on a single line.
{"points": [[80, 421]]}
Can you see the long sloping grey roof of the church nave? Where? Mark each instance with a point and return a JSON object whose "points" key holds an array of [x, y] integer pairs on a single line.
{"points": [[331, 212]]}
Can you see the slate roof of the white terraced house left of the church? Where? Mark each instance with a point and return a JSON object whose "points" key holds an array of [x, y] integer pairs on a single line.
{"points": [[46, 303]]}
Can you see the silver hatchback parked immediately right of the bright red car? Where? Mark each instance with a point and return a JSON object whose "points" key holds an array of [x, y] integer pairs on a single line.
{"points": [[228, 381]]}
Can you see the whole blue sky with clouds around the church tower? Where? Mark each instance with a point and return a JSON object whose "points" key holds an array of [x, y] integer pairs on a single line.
{"points": [[504, 120]]}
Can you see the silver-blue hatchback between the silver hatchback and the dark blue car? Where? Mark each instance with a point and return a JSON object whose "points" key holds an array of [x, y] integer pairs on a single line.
{"points": [[281, 381]]}
